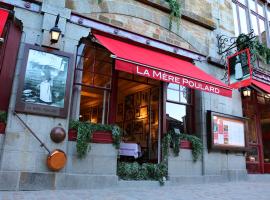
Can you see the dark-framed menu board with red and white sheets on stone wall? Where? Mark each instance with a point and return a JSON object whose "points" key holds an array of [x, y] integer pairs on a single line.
{"points": [[226, 132]]}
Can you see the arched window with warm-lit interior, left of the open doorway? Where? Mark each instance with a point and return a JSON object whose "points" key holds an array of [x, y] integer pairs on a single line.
{"points": [[94, 77]]}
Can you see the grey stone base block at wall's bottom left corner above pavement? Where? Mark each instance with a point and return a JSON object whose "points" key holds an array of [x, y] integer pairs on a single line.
{"points": [[9, 180]]}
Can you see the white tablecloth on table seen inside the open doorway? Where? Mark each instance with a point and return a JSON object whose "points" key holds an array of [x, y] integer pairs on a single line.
{"points": [[130, 149]]}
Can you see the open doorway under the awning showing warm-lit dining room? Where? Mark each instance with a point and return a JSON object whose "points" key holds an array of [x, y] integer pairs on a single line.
{"points": [[138, 114]]}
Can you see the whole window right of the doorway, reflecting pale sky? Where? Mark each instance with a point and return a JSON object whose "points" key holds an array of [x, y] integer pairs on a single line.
{"points": [[179, 108]]}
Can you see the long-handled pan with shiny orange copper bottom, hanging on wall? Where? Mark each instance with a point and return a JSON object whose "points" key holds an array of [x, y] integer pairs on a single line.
{"points": [[56, 159]]}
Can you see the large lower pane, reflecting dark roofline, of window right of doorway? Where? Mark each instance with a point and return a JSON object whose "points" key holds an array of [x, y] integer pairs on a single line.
{"points": [[176, 116]]}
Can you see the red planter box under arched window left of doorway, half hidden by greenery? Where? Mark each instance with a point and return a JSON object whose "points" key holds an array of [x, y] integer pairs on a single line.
{"points": [[104, 137]]}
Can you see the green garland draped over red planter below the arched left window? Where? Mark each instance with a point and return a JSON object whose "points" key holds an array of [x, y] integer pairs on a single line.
{"points": [[85, 131]]}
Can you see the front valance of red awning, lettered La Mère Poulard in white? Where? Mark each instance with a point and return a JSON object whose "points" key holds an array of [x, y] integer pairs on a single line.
{"points": [[172, 78]]}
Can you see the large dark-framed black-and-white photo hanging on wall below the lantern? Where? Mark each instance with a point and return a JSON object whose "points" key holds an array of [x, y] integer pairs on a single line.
{"points": [[44, 85]]}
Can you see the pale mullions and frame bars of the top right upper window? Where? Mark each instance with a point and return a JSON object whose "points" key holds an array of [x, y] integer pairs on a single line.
{"points": [[245, 4]]}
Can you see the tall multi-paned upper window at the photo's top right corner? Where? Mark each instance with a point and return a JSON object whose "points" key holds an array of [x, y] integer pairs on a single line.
{"points": [[251, 14]]}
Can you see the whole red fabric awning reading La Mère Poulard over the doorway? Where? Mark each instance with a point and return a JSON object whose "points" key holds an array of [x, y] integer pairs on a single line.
{"points": [[154, 64]]}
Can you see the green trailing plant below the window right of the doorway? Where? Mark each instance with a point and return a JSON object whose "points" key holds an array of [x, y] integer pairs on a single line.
{"points": [[196, 142]]}
